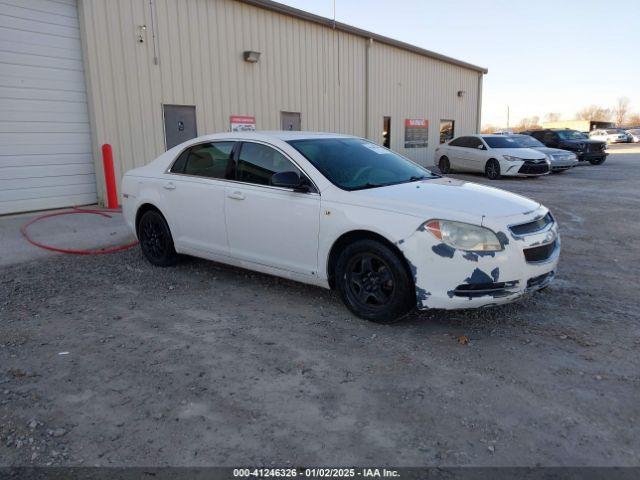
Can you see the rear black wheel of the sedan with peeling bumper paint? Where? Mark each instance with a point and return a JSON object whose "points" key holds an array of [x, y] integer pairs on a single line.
{"points": [[155, 239]]}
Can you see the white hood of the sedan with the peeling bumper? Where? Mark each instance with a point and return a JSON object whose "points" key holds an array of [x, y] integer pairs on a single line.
{"points": [[444, 198]]}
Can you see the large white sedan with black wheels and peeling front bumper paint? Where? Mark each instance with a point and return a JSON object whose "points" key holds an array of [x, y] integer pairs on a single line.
{"points": [[341, 212]]}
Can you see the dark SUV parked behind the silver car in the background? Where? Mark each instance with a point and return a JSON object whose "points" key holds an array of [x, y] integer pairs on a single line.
{"points": [[593, 151]]}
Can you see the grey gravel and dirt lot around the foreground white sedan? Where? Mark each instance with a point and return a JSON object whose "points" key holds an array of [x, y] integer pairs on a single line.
{"points": [[107, 360]]}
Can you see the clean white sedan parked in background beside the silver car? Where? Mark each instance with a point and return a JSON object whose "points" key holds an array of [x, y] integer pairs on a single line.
{"points": [[494, 155]]}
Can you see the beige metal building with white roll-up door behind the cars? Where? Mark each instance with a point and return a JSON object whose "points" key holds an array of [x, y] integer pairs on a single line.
{"points": [[142, 75]]}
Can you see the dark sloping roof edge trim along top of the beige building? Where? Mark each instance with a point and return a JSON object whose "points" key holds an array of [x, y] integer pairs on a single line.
{"points": [[343, 27]]}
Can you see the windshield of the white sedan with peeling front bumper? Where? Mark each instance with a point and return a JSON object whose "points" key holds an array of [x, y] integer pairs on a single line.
{"points": [[356, 164]]}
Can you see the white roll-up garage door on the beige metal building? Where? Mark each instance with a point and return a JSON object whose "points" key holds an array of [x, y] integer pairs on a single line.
{"points": [[45, 148]]}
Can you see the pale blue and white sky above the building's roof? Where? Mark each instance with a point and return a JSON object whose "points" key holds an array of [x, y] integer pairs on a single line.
{"points": [[543, 56]]}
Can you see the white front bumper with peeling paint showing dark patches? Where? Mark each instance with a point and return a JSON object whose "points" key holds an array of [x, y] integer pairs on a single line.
{"points": [[447, 278]]}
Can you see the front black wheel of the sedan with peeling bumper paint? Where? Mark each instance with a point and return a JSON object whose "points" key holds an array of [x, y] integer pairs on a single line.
{"points": [[373, 282]]}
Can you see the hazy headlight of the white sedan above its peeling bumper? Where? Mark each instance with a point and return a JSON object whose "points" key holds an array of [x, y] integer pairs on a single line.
{"points": [[464, 236]]}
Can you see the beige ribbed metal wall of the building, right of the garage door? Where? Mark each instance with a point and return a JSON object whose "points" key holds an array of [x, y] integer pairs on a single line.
{"points": [[304, 67]]}
